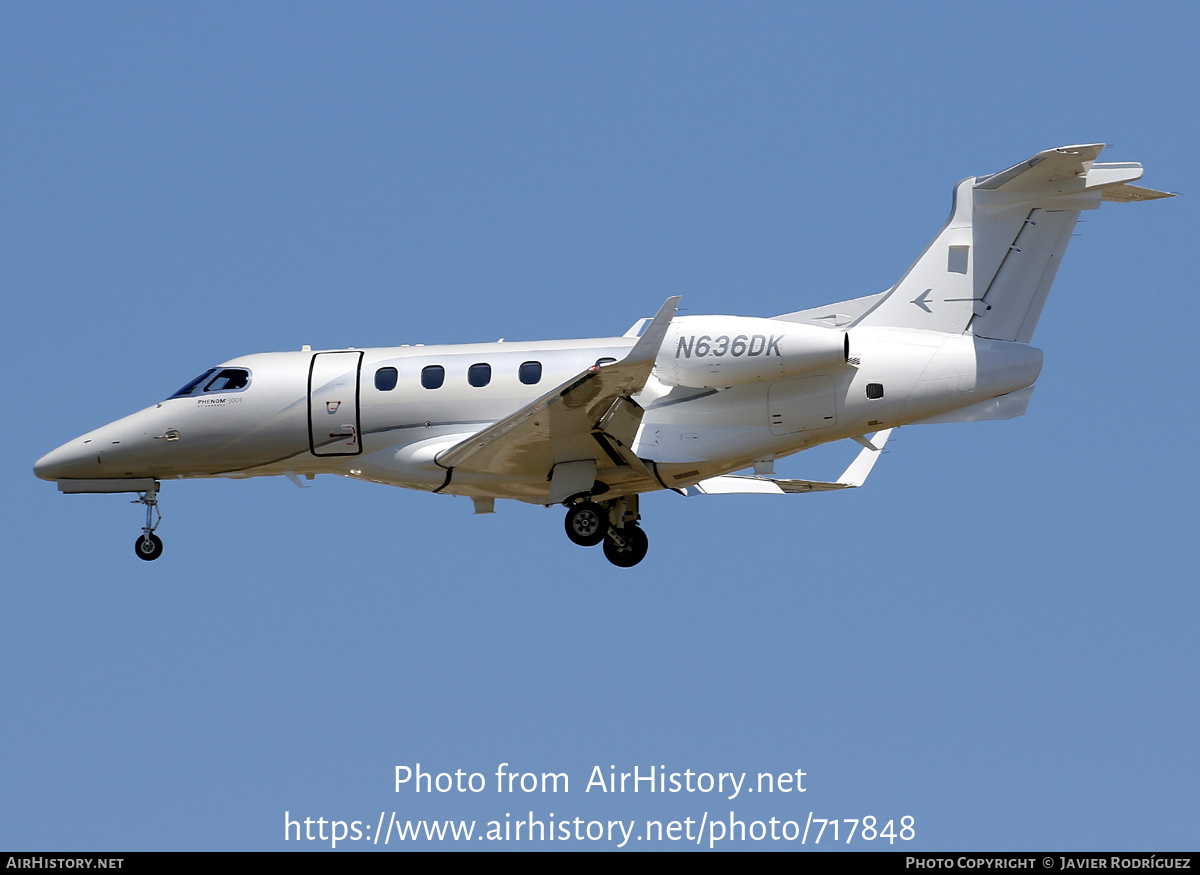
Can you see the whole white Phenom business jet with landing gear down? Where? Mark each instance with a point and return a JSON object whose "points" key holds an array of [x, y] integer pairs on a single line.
{"points": [[676, 403]]}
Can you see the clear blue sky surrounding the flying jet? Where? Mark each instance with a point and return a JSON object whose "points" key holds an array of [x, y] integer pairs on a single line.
{"points": [[995, 637]]}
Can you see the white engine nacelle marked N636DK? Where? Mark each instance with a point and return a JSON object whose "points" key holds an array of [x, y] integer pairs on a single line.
{"points": [[715, 352]]}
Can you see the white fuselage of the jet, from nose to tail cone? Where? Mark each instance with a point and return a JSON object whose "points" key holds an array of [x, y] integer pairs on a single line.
{"points": [[304, 413]]}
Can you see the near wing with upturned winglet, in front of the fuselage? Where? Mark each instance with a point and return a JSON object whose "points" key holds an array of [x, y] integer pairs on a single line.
{"points": [[581, 428]]}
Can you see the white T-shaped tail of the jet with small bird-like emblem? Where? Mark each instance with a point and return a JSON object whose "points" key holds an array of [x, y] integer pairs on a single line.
{"points": [[989, 271]]}
